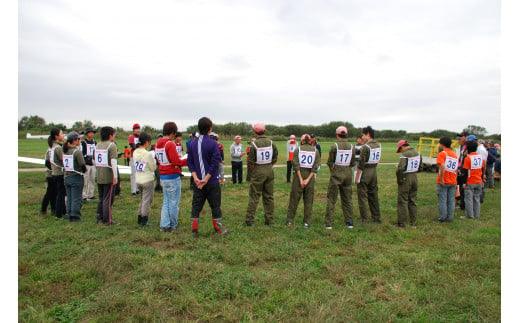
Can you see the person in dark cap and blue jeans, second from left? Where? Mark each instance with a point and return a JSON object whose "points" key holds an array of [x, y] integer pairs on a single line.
{"points": [[74, 167]]}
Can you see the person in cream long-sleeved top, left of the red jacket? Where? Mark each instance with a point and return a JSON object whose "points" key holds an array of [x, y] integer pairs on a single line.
{"points": [[145, 167]]}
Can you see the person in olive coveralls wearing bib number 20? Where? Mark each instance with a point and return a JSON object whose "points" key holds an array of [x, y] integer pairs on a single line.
{"points": [[306, 160]]}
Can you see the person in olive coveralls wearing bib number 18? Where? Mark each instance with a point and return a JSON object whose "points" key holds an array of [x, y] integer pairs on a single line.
{"points": [[406, 173]]}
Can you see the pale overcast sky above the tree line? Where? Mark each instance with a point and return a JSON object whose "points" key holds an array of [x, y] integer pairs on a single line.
{"points": [[411, 65]]}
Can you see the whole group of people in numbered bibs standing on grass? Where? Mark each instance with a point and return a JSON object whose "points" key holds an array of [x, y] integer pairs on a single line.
{"points": [[76, 165]]}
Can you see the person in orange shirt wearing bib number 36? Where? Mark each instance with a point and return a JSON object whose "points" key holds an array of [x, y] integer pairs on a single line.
{"points": [[447, 180]]}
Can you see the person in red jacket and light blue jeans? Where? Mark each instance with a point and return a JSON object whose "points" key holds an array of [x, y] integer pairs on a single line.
{"points": [[170, 173]]}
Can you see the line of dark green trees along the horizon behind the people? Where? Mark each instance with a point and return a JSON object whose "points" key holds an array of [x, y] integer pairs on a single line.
{"points": [[38, 125]]}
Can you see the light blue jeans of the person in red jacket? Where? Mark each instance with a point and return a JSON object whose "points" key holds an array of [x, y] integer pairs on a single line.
{"points": [[171, 198]]}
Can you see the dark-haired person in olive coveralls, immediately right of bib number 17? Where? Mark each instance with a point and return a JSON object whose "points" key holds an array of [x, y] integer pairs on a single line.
{"points": [[366, 176]]}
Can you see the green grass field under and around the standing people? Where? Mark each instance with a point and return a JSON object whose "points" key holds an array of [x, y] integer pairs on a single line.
{"points": [[83, 271]]}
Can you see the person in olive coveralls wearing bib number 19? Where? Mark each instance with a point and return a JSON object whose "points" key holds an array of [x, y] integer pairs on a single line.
{"points": [[261, 158]]}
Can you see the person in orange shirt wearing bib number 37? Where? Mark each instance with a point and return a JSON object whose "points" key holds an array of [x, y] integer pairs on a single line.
{"points": [[472, 180]]}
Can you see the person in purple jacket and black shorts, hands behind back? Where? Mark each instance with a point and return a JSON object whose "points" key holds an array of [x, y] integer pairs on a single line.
{"points": [[203, 161]]}
